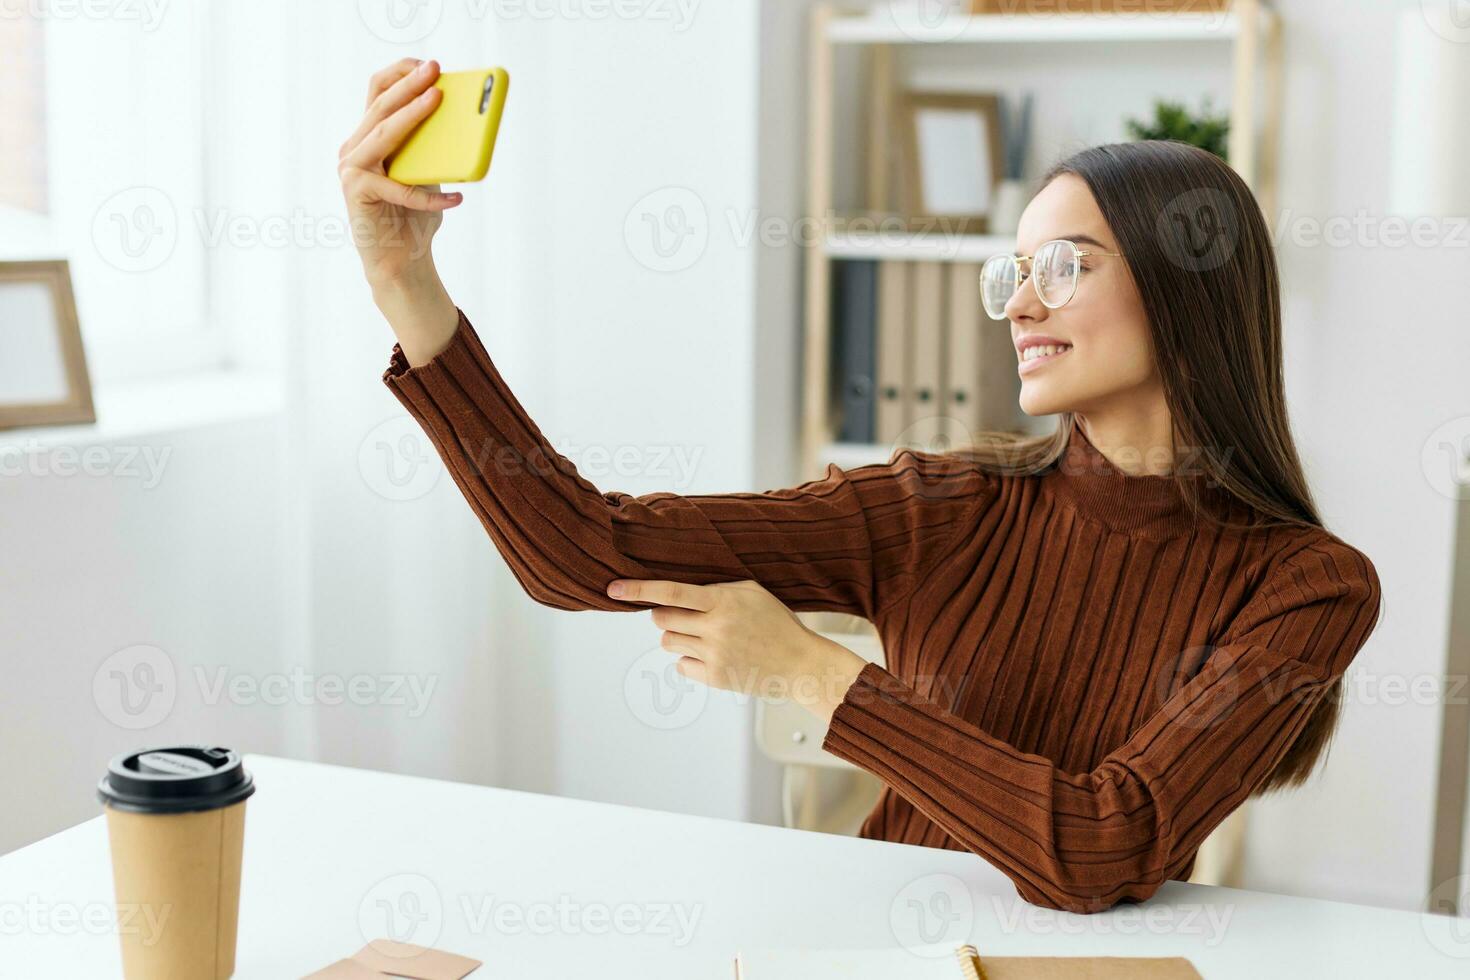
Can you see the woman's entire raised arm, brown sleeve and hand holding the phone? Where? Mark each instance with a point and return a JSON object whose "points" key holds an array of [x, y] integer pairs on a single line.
{"points": [[849, 543]]}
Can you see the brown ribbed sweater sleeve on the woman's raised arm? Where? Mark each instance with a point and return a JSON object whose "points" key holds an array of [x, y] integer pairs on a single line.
{"points": [[850, 543]]}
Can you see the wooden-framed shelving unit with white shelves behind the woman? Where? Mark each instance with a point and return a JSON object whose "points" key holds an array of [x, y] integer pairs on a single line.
{"points": [[1250, 27]]}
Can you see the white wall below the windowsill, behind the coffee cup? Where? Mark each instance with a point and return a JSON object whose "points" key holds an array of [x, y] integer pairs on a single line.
{"points": [[170, 541]]}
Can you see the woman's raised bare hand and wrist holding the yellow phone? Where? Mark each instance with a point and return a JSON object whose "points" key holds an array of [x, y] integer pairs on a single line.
{"points": [[395, 224]]}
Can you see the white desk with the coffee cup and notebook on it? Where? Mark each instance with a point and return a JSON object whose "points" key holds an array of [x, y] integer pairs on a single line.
{"points": [[329, 847]]}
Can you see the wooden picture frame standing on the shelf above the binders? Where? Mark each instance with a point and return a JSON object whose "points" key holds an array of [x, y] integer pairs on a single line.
{"points": [[953, 158]]}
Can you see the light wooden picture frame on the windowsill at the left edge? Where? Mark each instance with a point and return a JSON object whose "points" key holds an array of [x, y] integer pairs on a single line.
{"points": [[43, 374]]}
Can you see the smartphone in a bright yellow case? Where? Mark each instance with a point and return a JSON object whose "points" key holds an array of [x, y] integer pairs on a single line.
{"points": [[455, 145]]}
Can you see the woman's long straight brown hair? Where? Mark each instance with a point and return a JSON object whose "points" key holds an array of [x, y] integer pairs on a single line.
{"points": [[1200, 252]]}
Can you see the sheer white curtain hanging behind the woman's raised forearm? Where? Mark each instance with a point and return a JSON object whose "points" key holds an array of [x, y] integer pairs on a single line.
{"points": [[392, 584]]}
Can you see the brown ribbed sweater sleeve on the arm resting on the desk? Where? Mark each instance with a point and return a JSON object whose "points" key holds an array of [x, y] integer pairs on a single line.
{"points": [[1086, 841]]}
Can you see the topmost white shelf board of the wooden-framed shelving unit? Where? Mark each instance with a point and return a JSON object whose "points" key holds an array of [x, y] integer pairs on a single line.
{"points": [[892, 27]]}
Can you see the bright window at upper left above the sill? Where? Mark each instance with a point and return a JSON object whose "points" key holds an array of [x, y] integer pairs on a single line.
{"points": [[102, 164]]}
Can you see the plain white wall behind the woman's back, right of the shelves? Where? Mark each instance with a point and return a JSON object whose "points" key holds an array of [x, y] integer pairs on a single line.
{"points": [[1365, 405]]}
